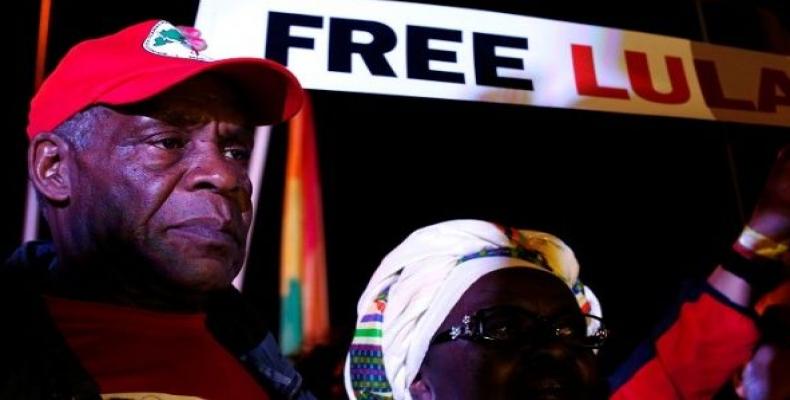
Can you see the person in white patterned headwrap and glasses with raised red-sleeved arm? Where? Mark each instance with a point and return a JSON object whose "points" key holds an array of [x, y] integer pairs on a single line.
{"points": [[468, 309]]}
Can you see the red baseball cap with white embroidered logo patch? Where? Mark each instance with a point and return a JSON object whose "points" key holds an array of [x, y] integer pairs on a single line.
{"points": [[146, 59]]}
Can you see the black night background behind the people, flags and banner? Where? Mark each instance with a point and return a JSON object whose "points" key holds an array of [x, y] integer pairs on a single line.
{"points": [[645, 202]]}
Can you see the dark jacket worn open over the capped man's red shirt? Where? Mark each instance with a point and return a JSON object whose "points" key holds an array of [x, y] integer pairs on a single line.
{"points": [[36, 362]]}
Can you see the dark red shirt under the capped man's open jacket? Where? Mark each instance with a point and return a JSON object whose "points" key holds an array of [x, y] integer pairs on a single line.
{"points": [[140, 352]]}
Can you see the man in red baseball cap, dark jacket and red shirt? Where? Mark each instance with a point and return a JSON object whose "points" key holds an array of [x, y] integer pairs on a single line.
{"points": [[138, 151]]}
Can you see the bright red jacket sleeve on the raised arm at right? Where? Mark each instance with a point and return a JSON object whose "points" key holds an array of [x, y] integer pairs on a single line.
{"points": [[694, 354]]}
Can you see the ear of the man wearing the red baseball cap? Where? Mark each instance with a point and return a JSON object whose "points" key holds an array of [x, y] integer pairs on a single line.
{"points": [[48, 166]]}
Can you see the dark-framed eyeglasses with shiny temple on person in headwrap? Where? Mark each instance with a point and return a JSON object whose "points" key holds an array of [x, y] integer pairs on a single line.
{"points": [[516, 326]]}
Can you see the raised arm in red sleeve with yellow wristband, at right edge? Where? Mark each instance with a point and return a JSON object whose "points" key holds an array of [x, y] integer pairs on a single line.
{"points": [[711, 333]]}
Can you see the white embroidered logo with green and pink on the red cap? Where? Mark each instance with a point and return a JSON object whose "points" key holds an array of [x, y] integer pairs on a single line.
{"points": [[170, 41]]}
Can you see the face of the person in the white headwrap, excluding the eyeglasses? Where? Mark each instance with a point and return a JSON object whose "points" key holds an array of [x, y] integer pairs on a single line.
{"points": [[541, 368]]}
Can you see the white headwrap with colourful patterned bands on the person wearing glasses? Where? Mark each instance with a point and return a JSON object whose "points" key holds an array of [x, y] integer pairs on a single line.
{"points": [[419, 282]]}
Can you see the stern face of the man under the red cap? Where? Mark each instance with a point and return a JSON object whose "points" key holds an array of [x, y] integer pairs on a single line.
{"points": [[166, 182]]}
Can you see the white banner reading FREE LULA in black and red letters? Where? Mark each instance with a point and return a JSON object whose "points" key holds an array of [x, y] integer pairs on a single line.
{"points": [[411, 49]]}
